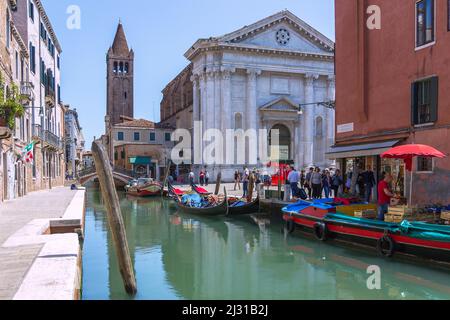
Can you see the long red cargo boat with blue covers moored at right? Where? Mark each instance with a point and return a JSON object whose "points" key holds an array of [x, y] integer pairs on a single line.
{"points": [[414, 239]]}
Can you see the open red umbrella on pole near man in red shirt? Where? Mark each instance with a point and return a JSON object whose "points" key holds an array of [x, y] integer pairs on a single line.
{"points": [[408, 152]]}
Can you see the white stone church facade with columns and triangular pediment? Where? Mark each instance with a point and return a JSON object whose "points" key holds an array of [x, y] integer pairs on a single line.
{"points": [[268, 75]]}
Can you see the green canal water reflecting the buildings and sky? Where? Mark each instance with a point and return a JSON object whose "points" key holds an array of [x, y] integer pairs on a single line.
{"points": [[177, 256]]}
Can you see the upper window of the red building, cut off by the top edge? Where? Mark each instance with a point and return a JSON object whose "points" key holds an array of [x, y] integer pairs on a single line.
{"points": [[424, 22]]}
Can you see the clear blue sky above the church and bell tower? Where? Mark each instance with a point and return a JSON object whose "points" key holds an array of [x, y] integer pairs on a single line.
{"points": [[159, 31]]}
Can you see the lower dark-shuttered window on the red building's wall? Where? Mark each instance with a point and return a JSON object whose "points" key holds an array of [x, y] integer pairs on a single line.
{"points": [[424, 101]]}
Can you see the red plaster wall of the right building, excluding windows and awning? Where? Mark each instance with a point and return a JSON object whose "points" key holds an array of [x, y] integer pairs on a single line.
{"points": [[374, 72]]}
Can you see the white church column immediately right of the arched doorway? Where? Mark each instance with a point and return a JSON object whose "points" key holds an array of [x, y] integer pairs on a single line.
{"points": [[308, 113]]}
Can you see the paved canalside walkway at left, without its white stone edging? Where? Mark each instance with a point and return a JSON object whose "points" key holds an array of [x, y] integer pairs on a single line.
{"points": [[14, 215]]}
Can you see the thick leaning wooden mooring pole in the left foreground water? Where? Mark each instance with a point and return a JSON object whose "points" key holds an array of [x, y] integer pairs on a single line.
{"points": [[115, 220]]}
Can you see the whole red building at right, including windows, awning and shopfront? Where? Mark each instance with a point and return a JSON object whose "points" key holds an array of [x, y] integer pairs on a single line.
{"points": [[391, 89]]}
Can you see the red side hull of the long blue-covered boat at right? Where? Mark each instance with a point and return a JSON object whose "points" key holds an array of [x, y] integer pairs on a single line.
{"points": [[369, 236]]}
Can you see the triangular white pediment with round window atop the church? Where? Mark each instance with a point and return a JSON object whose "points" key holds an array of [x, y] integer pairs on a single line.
{"points": [[282, 31]]}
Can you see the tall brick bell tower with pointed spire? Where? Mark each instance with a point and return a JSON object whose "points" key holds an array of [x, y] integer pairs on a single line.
{"points": [[120, 78]]}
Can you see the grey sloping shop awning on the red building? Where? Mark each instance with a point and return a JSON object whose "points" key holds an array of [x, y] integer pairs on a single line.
{"points": [[360, 150]]}
